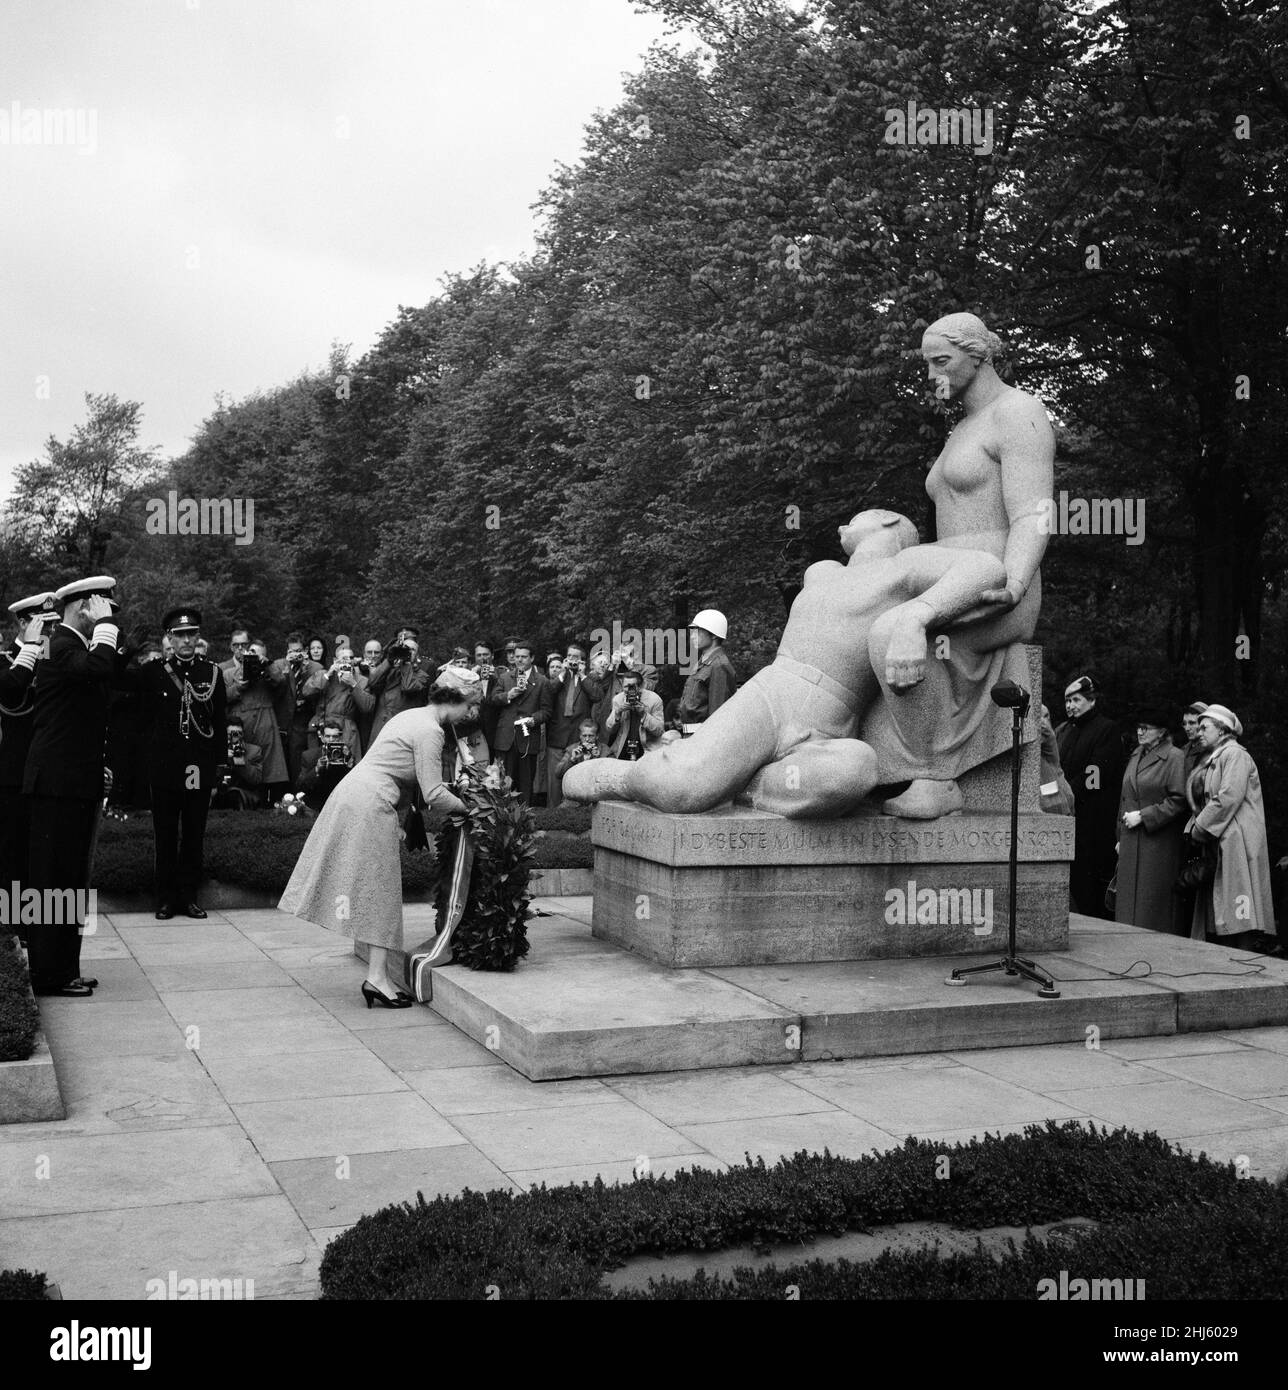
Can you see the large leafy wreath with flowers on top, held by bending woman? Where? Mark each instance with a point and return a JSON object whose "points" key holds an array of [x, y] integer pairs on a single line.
{"points": [[494, 929]]}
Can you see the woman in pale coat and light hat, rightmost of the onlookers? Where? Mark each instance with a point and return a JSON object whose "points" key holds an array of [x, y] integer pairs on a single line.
{"points": [[1226, 797]]}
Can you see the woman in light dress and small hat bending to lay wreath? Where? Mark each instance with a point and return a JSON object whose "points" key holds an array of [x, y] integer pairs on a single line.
{"points": [[349, 874]]}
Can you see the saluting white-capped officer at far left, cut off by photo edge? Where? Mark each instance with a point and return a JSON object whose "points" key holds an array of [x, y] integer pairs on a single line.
{"points": [[17, 701]]}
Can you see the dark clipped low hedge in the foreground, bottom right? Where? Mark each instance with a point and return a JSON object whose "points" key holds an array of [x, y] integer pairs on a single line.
{"points": [[558, 1243]]}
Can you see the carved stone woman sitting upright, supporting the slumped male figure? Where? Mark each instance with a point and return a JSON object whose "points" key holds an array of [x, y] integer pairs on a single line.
{"points": [[991, 487]]}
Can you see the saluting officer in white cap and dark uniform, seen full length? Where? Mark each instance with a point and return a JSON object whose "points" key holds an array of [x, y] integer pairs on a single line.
{"points": [[63, 780]]}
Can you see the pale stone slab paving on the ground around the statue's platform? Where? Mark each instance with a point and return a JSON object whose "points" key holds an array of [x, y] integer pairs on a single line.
{"points": [[219, 1153]]}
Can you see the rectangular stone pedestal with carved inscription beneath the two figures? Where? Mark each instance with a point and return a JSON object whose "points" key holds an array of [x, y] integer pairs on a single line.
{"points": [[745, 888]]}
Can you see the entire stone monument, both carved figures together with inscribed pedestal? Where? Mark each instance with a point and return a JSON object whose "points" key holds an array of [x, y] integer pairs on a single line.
{"points": [[883, 678]]}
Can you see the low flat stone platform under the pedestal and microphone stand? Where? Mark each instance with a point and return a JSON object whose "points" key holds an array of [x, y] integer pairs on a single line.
{"points": [[581, 1007]]}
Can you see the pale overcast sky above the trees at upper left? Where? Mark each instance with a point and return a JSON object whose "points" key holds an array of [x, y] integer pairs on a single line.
{"points": [[259, 179]]}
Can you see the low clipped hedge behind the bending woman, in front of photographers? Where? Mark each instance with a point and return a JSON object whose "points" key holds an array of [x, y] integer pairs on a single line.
{"points": [[259, 850]]}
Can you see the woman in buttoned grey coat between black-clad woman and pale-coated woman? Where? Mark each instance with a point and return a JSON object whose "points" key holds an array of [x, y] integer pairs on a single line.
{"points": [[1153, 828]]}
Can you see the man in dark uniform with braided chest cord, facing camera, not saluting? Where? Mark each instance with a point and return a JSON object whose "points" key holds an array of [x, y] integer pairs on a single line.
{"points": [[185, 700]]}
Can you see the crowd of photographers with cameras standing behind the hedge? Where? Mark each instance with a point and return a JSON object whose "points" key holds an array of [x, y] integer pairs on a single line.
{"points": [[299, 722]]}
